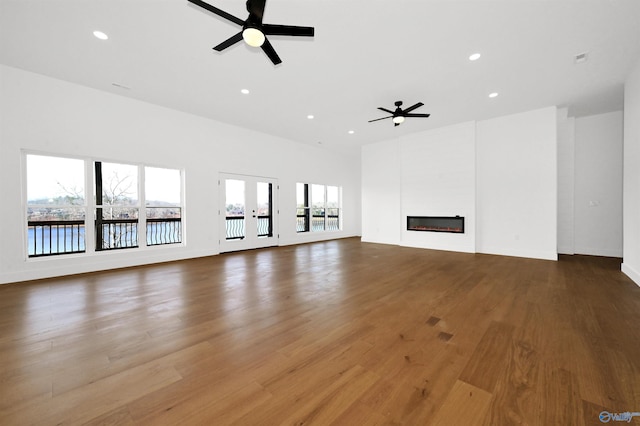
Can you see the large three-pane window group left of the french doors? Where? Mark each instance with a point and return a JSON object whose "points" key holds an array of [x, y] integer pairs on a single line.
{"points": [[57, 205]]}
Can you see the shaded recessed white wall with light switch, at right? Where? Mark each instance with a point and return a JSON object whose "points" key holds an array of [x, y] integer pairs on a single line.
{"points": [[598, 185]]}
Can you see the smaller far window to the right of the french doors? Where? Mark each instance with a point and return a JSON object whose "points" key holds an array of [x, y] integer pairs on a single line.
{"points": [[318, 208]]}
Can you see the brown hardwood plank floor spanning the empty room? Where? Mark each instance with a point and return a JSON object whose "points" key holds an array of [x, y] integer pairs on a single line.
{"points": [[338, 332]]}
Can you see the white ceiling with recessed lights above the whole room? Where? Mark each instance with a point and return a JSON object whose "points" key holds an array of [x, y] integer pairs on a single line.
{"points": [[365, 54]]}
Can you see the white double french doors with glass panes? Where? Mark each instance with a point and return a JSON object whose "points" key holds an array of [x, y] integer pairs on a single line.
{"points": [[248, 212]]}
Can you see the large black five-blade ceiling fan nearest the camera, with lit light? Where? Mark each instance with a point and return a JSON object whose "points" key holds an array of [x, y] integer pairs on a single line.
{"points": [[254, 32]]}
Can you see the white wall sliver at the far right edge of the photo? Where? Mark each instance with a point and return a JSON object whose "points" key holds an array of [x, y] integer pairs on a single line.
{"points": [[631, 209]]}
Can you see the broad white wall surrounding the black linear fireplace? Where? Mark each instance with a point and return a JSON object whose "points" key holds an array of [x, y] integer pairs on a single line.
{"points": [[500, 173]]}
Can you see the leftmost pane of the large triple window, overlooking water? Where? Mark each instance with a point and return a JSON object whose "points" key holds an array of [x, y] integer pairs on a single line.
{"points": [[56, 205]]}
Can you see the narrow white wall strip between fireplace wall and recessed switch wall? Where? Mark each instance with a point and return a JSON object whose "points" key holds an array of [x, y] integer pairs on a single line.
{"points": [[566, 182]]}
